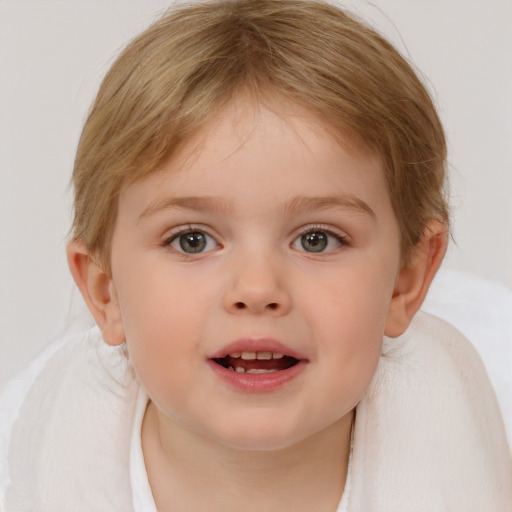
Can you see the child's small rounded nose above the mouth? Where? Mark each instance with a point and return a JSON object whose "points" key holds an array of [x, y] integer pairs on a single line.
{"points": [[257, 287]]}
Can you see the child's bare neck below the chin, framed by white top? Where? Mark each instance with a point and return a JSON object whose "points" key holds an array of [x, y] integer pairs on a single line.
{"points": [[187, 471]]}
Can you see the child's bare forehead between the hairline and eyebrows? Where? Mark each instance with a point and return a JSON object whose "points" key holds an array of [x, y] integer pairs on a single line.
{"points": [[278, 153]]}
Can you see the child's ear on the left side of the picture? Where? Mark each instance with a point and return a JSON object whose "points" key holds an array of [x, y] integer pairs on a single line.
{"points": [[98, 291]]}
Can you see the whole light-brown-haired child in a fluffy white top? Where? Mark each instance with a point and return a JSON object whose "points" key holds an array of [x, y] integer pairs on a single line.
{"points": [[259, 213]]}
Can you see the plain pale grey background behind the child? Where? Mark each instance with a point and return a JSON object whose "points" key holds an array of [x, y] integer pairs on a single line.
{"points": [[54, 53]]}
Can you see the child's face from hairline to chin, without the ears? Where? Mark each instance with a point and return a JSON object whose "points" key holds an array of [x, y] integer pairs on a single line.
{"points": [[266, 236]]}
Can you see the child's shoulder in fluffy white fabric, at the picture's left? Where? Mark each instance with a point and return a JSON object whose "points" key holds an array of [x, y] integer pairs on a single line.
{"points": [[74, 403]]}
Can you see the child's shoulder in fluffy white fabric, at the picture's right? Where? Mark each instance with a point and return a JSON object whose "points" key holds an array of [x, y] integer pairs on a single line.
{"points": [[429, 434]]}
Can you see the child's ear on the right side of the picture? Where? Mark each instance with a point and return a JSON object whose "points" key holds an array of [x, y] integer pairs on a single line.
{"points": [[414, 278]]}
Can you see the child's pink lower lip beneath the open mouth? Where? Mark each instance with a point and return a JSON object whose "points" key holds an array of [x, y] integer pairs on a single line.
{"points": [[257, 382]]}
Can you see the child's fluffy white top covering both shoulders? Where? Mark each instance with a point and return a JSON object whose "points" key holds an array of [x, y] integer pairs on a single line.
{"points": [[428, 435]]}
